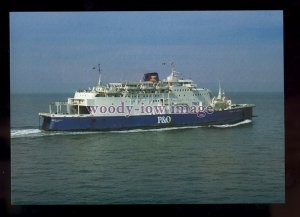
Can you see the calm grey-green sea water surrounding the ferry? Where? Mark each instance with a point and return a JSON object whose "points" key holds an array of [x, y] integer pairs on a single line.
{"points": [[241, 163]]}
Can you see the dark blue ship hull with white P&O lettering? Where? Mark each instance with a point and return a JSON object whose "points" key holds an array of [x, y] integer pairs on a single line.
{"points": [[106, 123]]}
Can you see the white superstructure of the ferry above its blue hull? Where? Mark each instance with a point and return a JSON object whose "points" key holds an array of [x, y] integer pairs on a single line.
{"points": [[147, 97]]}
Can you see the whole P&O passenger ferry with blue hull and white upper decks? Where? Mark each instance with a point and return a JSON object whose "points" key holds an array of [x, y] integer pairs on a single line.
{"points": [[150, 103]]}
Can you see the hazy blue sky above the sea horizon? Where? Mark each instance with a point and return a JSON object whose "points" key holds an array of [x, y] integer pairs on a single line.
{"points": [[55, 52]]}
